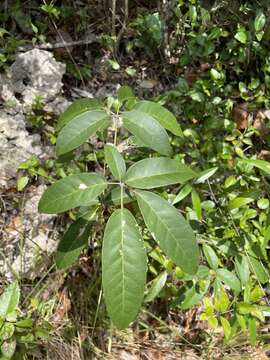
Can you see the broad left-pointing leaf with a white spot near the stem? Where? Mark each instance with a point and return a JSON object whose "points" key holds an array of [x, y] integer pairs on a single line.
{"points": [[70, 192]]}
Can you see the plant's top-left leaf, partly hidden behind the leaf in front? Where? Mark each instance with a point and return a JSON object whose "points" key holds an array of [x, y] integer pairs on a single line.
{"points": [[77, 107]]}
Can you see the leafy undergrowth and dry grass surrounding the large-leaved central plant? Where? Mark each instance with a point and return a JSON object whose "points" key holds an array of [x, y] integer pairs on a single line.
{"points": [[209, 63]]}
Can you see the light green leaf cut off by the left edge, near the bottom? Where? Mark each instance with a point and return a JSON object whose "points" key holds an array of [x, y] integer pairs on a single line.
{"points": [[9, 300]]}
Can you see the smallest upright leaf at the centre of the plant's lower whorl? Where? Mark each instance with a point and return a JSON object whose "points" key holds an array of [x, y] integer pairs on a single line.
{"points": [[115, 161]]}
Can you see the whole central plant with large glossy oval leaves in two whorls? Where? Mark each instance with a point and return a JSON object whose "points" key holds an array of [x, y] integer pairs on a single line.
{"points": [[124, 259]]}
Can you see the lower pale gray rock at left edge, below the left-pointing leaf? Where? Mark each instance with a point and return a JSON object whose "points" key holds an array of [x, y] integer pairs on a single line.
{"points": [[28, 239]]}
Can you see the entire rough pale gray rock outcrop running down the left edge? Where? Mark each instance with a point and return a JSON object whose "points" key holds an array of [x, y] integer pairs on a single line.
{"points": [[27, 237]]}
